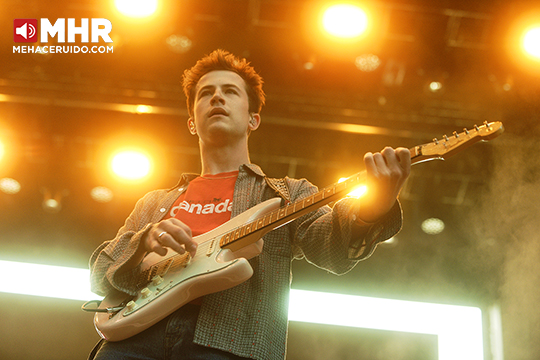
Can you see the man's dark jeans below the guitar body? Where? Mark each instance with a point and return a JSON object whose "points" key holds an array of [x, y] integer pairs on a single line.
{"points": [[171, 338]]}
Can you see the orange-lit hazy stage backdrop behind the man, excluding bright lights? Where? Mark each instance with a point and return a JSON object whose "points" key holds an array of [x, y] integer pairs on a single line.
{"points": [[60, 114]]}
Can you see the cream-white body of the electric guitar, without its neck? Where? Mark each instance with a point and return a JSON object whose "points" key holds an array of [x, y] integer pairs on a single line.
{"points": [[182, 279]]}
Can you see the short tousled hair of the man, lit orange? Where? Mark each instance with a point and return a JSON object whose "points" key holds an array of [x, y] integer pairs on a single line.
{"points": [[223, 60]]}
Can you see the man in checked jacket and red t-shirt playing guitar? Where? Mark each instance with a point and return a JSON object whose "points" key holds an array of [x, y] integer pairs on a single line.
{"points": [[249, 319]]}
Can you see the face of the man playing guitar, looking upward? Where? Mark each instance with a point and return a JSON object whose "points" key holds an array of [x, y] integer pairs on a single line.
{"points": [[221, 107]]}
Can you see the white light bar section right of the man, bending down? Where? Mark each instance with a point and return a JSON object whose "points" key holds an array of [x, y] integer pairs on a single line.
{"points": [[459, 328]]}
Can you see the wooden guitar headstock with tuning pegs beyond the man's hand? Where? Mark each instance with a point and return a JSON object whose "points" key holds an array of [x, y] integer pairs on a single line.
{"points": [[450, 145]]}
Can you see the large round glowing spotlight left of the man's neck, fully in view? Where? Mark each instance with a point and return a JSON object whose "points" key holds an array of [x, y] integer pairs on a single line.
{"points": [[131, 165]]}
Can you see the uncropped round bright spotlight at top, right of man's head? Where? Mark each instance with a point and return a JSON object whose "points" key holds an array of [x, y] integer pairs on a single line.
{"points": [[345, 21]]}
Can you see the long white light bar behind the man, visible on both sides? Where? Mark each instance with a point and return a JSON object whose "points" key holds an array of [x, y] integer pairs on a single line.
{"points": [[458, 328]]}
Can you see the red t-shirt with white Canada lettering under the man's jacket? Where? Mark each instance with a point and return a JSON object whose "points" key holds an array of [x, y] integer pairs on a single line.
{"points": [[207, 202]]}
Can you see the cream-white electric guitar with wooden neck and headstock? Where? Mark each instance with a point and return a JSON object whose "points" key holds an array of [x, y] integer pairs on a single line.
{"points": [[221, 262]]}
